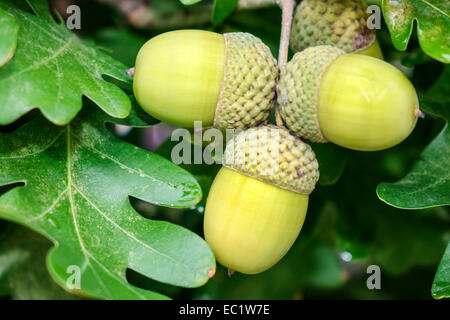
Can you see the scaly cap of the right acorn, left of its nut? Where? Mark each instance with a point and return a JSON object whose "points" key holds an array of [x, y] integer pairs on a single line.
{"points": [[298, 90]]}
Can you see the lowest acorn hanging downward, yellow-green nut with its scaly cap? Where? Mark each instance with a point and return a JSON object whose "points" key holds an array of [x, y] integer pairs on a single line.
{"points": [[258, 201]]}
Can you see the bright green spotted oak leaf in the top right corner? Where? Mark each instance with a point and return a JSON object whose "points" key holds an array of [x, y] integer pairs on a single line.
{"points": [[433, 25]]}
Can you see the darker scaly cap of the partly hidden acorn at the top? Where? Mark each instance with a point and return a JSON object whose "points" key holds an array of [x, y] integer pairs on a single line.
{"points": [[340, 23]]}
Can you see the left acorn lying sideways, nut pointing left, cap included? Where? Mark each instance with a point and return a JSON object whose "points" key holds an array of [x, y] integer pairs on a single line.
{"points": [[226, 81]]}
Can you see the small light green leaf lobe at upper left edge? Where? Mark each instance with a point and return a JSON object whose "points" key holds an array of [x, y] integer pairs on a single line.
{"points": [[8, 36]]}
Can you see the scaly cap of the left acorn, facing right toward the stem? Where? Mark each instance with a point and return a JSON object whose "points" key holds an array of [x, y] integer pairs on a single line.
{"points": [[248, 87]]}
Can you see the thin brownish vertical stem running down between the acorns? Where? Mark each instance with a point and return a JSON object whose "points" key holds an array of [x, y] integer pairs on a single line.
{"points": [[287, 7]]}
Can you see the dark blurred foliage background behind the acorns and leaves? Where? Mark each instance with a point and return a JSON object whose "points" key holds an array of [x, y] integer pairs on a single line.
{"points": [[347, 227]]}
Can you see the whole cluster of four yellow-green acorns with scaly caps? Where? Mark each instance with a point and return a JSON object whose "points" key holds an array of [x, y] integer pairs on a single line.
{"points": [[335, 89]]}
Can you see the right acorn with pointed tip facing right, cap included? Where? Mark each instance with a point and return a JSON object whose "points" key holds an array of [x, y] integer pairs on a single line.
{"points": [[355, 101]]}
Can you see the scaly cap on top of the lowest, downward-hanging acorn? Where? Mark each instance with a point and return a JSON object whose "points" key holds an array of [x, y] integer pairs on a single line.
{"points": [[272, 155]]}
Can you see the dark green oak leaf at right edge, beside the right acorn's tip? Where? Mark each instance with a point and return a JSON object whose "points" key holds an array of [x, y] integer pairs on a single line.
{"points": [[428, 183]]}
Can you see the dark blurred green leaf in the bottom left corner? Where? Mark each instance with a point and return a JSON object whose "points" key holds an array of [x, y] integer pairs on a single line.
{"points": [[23, 273]]}
